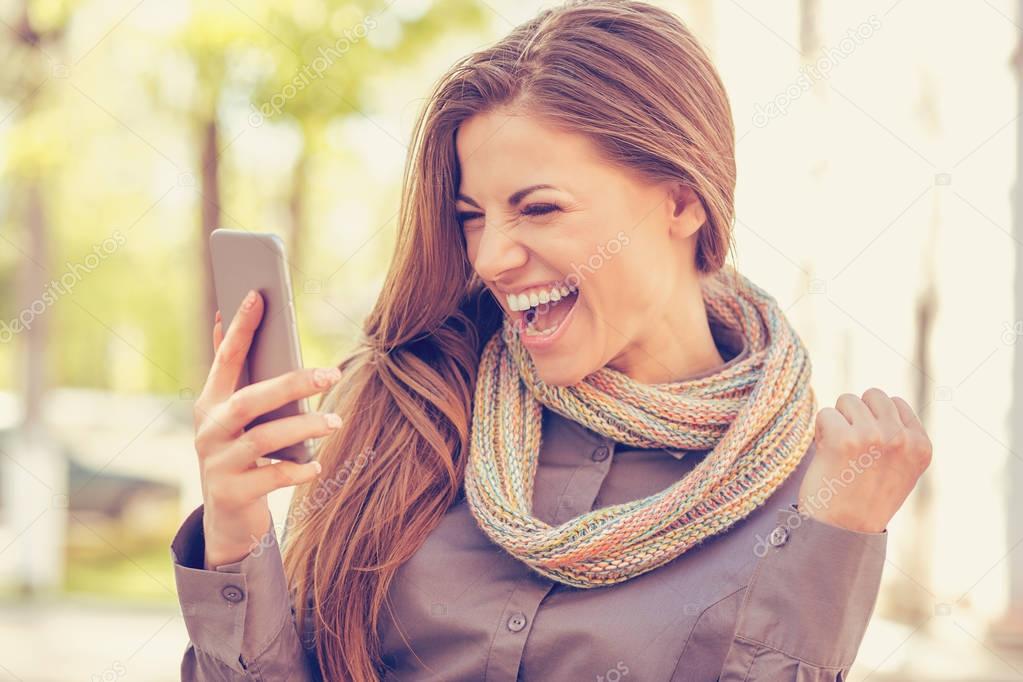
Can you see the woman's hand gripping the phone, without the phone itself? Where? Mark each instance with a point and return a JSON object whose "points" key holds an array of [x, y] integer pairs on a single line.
{"points": [[235, 484]]}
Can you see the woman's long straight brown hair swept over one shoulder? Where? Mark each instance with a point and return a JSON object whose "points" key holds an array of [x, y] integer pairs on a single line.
{"points": [[634, 79]]}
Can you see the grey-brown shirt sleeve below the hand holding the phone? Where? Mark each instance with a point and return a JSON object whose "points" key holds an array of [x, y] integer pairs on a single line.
{"points": [[240, 616]]}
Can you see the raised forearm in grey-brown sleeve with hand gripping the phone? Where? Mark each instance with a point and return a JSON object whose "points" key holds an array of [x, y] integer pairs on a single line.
{"points": [[228, 563]]}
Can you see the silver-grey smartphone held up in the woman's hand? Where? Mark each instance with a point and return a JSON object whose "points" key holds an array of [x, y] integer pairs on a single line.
{"points": [[244, 261]]}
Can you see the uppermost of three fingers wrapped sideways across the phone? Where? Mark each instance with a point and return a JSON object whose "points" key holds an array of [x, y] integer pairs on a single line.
{"points": [[257, 399]]}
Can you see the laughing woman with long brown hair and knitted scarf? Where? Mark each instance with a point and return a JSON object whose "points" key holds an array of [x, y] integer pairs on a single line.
{"points": [[575, 444]]}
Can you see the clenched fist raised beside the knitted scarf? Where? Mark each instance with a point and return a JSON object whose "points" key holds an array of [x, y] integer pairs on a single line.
{"points": [[870, 453]]}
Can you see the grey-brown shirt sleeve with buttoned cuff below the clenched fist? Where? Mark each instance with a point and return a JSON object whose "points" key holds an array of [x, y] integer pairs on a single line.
{"points": [[809, 603]]}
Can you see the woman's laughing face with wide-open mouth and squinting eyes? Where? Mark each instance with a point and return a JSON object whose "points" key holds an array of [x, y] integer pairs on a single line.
{"points": [[546, 216]]}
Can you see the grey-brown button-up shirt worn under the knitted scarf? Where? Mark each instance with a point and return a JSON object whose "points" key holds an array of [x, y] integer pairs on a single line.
{"points": [[777, 597]]}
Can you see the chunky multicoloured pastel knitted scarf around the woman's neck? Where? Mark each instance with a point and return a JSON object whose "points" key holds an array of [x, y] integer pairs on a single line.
{"points": [[754, 417]]}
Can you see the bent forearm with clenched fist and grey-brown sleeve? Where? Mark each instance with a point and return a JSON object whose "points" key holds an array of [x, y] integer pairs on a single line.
{"points": [[814, 590]]}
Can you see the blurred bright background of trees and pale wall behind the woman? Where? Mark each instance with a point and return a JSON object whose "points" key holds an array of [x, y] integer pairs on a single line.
{"points": [[879, 153]]}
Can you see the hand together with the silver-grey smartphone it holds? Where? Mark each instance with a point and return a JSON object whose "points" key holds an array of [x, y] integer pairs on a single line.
{"points": [[253, 407]]}
